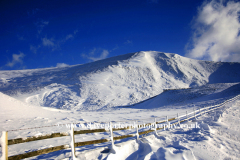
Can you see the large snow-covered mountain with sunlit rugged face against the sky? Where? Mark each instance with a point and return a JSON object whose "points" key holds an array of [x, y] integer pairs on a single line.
{"points": [[116, 81]]}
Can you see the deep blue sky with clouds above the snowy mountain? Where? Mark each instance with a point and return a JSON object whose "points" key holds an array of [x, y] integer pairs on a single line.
{"points": [[50, 33]]}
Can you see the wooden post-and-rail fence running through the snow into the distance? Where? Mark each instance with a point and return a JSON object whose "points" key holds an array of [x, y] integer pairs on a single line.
{"points": [[175, 120]]}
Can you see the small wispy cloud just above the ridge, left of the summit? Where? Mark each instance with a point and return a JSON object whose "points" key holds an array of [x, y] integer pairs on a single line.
{"points": [[96, 54]]}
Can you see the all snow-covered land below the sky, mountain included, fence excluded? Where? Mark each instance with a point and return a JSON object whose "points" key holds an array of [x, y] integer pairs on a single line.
{"points": [[125, 89]]}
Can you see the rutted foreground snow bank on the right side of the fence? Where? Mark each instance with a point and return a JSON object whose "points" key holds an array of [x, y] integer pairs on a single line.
{"points": [[217, 138]]}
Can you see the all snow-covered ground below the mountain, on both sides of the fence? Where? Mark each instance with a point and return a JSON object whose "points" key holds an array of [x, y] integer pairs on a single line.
{"points": [[218, 137]]}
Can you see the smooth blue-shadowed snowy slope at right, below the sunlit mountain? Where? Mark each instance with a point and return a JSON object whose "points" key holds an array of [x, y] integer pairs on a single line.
{"points": [[192, 96]]}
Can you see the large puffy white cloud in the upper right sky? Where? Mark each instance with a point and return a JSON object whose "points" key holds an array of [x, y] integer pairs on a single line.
{"points": [[216, 32]]}
